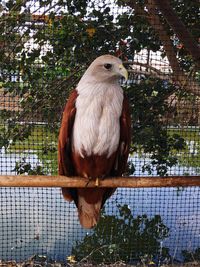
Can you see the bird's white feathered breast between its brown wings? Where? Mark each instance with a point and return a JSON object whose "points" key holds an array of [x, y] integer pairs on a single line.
{"points": [[97, 122]]}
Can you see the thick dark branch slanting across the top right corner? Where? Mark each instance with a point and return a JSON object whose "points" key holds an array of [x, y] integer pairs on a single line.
{"points": [[180, 30]]}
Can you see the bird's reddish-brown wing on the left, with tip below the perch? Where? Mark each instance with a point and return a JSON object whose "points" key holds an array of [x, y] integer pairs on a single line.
{"points": [[65, 164]]}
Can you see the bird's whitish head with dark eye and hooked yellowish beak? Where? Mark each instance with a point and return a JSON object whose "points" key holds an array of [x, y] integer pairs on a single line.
{"points": [[106, 68]]}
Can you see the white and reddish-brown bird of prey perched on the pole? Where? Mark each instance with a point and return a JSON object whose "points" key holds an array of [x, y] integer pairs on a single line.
{"points": [[95, 134]]}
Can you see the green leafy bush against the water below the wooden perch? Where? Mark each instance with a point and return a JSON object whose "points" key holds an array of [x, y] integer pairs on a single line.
{"points": [[123, 237]]}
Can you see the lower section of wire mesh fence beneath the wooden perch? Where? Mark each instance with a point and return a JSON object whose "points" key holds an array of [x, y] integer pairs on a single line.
{"points": [[164, 227]]}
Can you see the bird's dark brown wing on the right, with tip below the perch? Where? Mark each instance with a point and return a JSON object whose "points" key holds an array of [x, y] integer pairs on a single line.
{"points": [[124, 146]]}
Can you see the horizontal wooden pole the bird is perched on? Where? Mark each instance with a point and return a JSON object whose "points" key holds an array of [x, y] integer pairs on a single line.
{"points": [[131, 182]]}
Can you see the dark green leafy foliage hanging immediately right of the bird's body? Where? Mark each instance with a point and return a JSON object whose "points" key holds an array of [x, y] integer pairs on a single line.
{"points": [[150, 135]]}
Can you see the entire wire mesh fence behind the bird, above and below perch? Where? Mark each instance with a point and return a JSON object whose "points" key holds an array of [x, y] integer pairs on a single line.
{"points": [[45, 48]]}
